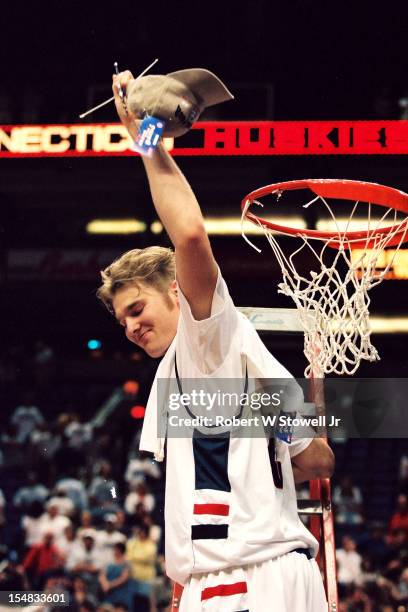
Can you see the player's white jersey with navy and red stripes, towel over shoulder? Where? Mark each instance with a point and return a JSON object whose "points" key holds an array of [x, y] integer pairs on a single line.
{"points": [[230, 501]]}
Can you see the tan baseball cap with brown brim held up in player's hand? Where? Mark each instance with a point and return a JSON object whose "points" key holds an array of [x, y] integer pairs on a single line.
{"points": [[177, 98]]}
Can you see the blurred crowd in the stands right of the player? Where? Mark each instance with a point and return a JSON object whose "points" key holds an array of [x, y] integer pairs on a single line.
{"points": [[372, 559]]}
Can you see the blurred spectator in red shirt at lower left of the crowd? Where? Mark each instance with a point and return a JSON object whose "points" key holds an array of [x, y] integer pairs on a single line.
{"points": [[41, 558]]}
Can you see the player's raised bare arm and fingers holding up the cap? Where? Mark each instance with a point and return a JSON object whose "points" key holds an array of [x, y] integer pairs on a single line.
{"points": [[178, 210]]}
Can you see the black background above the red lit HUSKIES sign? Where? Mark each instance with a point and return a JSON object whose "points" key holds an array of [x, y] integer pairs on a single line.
{"points": [[326, 60]]}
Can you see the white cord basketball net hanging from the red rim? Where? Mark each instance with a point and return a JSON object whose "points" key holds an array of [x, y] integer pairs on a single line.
{"points": [[333, 301]]}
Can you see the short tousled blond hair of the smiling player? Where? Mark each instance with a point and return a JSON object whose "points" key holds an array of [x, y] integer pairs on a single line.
{"points": [[155, 266]]}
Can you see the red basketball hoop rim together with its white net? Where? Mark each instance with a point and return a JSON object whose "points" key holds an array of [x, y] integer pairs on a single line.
{"points": [[332, 299]]}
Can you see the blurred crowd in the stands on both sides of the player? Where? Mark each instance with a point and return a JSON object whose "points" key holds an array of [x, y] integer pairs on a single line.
{"points": [[85, 515]]}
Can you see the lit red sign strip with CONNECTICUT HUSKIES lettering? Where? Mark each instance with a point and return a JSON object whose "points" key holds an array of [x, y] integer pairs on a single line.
{"points": [[208, 138]]}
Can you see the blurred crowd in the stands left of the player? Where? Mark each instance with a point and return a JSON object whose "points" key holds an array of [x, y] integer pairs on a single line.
{"points": [[83, 521]]}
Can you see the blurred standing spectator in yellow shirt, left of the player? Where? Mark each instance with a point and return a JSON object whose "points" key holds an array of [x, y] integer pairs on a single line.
{"points": [[141, 553]]}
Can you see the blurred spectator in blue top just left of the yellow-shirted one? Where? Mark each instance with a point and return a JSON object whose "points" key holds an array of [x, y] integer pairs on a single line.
{"points": [[115, 579]]}
